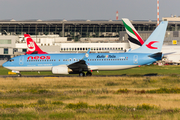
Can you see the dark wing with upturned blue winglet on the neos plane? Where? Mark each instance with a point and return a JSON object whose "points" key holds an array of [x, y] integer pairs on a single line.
{"points": [[80, 65]]}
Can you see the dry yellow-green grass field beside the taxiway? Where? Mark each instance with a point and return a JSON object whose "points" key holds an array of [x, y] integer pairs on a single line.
{"points": [[132, 97]]}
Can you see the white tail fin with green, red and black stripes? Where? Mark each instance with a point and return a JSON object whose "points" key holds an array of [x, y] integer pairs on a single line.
{"points": [[135, 39]]}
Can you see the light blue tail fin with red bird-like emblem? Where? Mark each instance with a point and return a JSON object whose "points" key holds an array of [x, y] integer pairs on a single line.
{"points": [[155, 41]]}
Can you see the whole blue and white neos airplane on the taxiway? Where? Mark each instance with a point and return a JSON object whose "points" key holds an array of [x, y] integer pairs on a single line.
{"points": [[78, 63]]}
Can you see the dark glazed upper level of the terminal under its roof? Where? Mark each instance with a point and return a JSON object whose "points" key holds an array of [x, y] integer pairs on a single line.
{"points": [[77, 29]]}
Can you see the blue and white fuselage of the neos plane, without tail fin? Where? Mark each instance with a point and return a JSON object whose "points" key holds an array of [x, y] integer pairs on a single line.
{"points": [[95, 61]]}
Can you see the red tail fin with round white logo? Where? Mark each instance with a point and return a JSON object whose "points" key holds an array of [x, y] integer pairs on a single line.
{"points": [[32, 46]]}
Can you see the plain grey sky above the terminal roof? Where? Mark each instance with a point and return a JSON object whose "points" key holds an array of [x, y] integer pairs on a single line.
{"points": [[86, 9]]}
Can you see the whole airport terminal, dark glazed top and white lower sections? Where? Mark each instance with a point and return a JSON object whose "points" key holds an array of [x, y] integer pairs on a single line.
{"points": [[78, 35]]}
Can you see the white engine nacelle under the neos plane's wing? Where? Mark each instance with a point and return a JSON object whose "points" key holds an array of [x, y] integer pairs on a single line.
{"points": [[60, 70]]}
